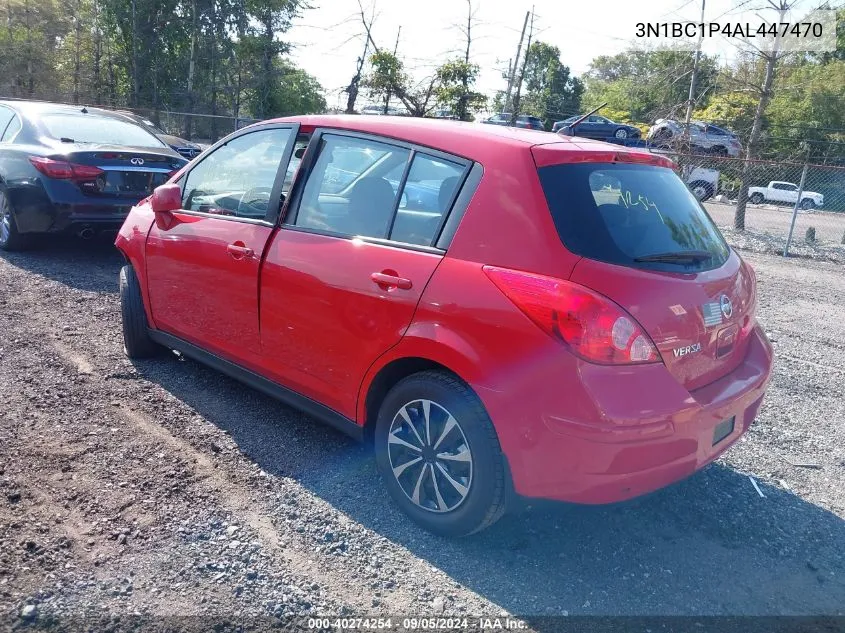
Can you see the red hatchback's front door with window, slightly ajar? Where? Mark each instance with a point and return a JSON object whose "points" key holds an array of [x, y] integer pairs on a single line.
{"points": [[203, 262]]}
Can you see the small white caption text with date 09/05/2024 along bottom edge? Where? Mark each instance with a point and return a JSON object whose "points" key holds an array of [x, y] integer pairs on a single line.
{"points": [[419, 624]]}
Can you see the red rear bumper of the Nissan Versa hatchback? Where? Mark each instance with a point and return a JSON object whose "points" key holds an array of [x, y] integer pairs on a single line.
{"points": [[651, 433]]}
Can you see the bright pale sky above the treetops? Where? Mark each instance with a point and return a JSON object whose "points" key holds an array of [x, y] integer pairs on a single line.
{"points": [[328, 39]]}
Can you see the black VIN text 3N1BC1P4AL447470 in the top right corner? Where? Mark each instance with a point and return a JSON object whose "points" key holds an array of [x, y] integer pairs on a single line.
{"points": [[729, 29]]}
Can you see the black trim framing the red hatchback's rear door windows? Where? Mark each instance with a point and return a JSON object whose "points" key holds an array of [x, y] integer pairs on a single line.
{"points": [[442, 237]]}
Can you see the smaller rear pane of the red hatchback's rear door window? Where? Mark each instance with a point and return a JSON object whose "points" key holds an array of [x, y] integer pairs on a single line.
{"points": [[428, 194]]}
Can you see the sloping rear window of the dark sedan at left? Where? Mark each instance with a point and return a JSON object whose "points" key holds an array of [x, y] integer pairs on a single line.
{"points": [[87, 128]]}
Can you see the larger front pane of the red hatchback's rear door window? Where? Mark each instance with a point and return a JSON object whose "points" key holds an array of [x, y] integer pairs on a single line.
{"points": [[349, 189]]}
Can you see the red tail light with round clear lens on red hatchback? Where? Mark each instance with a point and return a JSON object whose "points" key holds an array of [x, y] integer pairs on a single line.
{"points": [[593, 326]]}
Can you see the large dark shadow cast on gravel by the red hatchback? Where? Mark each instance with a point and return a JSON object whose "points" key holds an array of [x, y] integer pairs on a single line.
{"points": [[708, 545]]}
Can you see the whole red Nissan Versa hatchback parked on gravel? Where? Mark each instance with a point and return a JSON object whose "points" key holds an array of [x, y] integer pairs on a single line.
{"points": [[498, 310]]}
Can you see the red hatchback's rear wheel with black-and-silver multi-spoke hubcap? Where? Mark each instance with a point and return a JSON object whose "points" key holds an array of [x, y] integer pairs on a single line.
{"points": [[457, 495]]}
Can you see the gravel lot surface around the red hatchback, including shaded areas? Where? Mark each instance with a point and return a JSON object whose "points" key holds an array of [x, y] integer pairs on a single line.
{"points": [[164, 488]]}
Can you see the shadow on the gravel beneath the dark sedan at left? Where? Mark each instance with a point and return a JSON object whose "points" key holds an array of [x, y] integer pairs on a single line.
{"points": [[91, 265]]}
